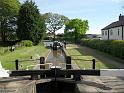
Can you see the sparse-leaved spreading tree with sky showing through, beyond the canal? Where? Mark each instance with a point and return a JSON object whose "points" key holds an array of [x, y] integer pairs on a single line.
{"points": [[54, 22]]}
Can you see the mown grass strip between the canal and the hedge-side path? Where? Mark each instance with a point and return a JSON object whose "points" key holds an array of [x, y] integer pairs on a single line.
{"points": [[83, 59]]}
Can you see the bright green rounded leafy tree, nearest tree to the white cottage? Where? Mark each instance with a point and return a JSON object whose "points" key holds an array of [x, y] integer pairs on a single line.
{"points": [[76, 28]]}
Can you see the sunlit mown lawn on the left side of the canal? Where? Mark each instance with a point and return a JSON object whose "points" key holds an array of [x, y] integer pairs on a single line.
{"points": [[8, 59]]}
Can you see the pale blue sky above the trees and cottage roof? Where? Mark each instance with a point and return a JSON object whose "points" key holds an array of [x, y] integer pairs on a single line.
{"points": [[99, 13]]}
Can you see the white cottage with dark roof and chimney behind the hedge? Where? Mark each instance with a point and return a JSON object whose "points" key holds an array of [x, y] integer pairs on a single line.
{"points": [[114, 31]]}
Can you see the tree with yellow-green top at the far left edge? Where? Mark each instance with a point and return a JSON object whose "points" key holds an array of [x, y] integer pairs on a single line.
{"points": [[8, 9]]}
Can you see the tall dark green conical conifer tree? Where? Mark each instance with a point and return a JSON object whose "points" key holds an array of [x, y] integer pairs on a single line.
{"points": [[30, 25]]}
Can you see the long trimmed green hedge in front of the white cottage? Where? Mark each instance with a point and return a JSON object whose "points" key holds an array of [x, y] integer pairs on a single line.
{"points": [[113, 47]]}
